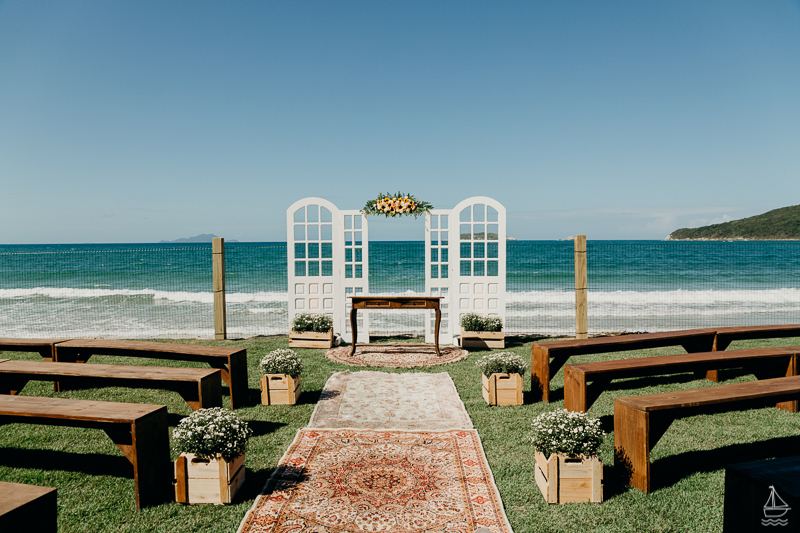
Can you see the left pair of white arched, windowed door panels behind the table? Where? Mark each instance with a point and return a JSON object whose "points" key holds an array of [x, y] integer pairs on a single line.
{"points": [[327, 260]]}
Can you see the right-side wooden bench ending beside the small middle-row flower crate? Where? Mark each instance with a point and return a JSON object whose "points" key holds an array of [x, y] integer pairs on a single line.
{"points": [[548, 357]]}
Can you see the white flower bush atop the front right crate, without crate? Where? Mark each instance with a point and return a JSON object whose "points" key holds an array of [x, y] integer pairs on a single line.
{"points": [[566, 432]]}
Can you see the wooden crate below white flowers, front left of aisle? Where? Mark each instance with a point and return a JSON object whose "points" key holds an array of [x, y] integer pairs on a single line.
{"points": [[213, 481]]}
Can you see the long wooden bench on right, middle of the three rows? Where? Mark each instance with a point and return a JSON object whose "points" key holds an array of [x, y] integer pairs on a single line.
{"points": [[765, 363]]}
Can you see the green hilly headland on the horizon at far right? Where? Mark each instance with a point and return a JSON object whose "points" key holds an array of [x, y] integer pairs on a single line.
{"points": [[777, 225]]}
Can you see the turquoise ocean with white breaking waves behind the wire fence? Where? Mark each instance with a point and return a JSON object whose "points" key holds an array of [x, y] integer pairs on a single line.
{"points": [[165, 290]]}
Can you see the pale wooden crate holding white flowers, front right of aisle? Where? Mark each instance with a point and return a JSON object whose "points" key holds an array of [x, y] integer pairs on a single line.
{"points": [[564, 479]]}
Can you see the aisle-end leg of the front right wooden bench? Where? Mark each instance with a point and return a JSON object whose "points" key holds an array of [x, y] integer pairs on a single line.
{"points": [[632, 446]]}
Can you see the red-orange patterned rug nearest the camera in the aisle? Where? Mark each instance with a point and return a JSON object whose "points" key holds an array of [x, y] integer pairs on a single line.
{"points": [[354, 481]]}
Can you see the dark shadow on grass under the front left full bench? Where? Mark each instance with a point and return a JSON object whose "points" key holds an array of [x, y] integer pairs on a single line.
{"points": [[94, 464]]}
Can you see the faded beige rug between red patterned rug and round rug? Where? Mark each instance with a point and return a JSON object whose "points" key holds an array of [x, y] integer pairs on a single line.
{"points": [[378, 400]]}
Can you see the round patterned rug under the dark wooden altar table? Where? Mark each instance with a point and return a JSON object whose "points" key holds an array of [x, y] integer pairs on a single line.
{"points": [[396, 355]]}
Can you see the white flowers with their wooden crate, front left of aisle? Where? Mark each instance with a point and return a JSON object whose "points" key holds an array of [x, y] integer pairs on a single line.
{"points": [[210, 468]]}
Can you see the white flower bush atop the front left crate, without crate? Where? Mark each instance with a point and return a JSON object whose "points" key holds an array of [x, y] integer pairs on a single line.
{"points": [[208, 432]]}
